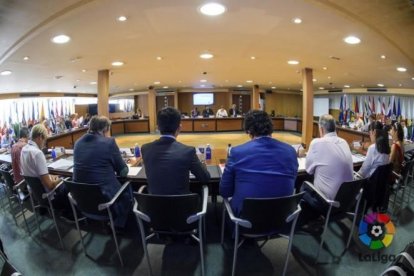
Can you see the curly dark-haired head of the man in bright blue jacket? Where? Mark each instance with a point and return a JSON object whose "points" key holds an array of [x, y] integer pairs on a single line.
{"points": [[257, 123]]}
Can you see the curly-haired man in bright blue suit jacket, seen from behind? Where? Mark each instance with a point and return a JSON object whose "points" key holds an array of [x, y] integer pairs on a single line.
{"points": [[262, 167]]}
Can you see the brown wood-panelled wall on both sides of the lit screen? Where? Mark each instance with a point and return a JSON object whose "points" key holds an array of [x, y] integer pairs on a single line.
{"points": [[185, 101]]}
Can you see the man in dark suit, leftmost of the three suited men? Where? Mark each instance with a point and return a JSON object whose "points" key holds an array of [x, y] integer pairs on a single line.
{"points": [[97, 160]]}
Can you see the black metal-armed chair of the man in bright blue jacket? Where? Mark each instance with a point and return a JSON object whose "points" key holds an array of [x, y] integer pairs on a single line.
{"points": [[263, 218]]}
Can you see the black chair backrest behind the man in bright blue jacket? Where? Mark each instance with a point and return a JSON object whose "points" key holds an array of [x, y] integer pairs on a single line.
{"points": [[268, 214]]}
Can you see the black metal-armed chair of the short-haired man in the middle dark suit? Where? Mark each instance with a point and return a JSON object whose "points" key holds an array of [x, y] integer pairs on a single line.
{"points": [[173, 215]]}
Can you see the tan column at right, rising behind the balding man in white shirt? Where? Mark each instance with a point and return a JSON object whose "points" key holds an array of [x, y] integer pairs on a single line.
{"points": [[307, 106]]}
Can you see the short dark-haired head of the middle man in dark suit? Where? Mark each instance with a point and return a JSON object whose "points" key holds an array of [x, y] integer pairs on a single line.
{"points": [[169, 121]]}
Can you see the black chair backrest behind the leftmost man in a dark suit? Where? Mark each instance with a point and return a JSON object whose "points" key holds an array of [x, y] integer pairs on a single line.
{"points": [[87, 197]]}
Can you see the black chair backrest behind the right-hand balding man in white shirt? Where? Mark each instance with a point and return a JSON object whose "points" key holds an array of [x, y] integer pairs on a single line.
{"points": [[347, 194]]}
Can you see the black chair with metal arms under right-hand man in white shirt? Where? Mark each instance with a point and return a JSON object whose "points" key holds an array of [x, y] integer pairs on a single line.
{"points": [[347, 198]]}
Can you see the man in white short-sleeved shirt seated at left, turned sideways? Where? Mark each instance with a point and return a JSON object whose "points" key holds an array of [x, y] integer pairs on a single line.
{"points": [[33, 164]]}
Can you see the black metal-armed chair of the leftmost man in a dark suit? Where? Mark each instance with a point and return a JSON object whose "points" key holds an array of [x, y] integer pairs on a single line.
{"points": [[88, 199]]}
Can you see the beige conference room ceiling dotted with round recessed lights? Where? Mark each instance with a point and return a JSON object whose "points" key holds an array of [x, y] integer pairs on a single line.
{"points": [[251, 43]]}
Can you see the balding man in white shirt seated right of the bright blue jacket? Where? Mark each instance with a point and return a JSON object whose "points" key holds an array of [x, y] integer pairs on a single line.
{"points": [[329, 159]]}
